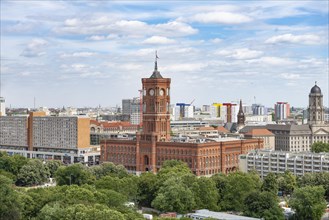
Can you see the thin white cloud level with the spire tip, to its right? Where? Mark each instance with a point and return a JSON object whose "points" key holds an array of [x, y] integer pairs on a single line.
{"points": [[240, 54]]}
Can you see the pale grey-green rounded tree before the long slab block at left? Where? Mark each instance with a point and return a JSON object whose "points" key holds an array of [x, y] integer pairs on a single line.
{"points": [[33, 173]]}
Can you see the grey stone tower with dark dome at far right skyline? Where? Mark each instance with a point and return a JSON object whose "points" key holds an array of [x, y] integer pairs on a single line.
{"points": [[315, 109]]}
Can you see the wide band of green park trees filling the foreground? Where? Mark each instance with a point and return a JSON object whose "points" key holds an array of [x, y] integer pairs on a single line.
{"points": [[103, 191]]}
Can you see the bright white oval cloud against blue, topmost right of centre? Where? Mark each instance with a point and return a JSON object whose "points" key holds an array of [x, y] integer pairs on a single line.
{"points": [[221, 18]]}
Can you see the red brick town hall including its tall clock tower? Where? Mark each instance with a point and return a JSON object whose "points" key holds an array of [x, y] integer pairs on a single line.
{"points": [[154, 144]]}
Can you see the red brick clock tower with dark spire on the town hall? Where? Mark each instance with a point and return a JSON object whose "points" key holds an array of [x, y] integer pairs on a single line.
{"points": [[156, 120]]}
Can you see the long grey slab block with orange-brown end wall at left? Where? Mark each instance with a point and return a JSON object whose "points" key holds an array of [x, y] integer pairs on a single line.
{"points": [[45, 137]]}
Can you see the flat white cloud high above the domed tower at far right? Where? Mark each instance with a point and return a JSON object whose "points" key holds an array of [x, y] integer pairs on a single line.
{"points": [[297, 39]]}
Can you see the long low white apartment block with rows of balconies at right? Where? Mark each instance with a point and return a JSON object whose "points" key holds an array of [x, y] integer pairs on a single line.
{"points": [[269, 161]]}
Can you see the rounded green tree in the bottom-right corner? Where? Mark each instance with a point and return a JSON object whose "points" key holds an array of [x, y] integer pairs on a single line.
{"points": [[308, 202]]}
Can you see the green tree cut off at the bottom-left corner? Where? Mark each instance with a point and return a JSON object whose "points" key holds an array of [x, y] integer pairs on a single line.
{"points": [[9, 204]]}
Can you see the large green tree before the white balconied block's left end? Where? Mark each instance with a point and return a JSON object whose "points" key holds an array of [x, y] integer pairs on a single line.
{"points": [[238, 186]]}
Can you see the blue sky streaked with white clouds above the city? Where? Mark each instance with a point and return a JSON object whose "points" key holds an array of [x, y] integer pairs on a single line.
{"points": [[86, 53]]}
